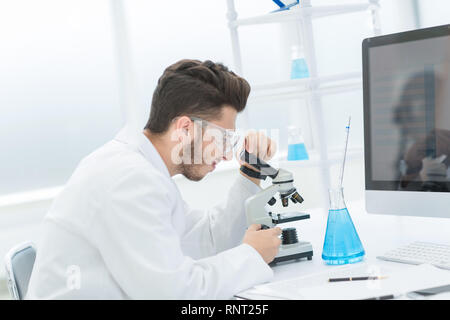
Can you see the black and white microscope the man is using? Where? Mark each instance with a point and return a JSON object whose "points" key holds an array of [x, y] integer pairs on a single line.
{"points": [[255, 207]]}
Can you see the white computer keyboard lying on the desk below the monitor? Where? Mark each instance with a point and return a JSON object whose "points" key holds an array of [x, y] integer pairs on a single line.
{"points": [[419, 253]]}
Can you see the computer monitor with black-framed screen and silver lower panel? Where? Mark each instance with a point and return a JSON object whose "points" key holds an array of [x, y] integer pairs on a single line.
{"points": [[406, 89]]}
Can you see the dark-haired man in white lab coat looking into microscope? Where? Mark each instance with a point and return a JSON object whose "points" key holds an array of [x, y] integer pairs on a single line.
{"points": [[120, 228]]}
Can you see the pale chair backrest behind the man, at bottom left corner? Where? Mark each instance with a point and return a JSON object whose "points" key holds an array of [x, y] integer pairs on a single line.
{"points": [[19, 262]]}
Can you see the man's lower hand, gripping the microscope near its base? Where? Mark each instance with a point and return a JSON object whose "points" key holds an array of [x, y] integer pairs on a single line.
{"points": [[266, 242]]}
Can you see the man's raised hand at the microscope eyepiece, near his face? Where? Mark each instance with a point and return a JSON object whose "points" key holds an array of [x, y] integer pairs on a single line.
{"points": [[261, 146]]}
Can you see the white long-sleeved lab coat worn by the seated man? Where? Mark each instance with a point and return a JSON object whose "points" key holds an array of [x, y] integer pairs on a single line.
{"points": [[120, 230]]}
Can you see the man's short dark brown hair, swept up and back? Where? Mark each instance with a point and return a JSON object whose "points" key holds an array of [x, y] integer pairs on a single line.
{"points": [[195, 88]]}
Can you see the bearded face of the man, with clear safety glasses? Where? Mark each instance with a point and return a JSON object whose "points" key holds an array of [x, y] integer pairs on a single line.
{"points": [[206, 149]]}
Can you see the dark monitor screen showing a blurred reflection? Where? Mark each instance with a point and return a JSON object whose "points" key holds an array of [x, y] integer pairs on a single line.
{"points": [[409, 106]]}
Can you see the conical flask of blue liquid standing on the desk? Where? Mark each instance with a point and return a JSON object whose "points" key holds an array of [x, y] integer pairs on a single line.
{"points": [[342, 244]]}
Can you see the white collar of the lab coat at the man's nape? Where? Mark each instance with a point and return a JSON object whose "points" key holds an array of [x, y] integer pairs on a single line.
{"points": [[145, 146]]}
